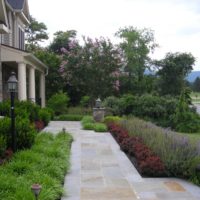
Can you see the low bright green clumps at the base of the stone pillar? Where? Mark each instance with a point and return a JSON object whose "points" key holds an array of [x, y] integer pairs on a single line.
{"points": [[88, 123]]}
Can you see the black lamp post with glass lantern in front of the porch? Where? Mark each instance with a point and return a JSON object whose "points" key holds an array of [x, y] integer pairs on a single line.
{"points": [[12, 87]]}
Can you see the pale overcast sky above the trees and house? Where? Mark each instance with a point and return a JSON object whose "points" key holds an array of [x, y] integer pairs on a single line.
{"points": [[176, 23]]}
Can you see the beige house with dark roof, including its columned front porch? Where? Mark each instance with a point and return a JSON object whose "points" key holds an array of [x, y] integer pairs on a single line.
{"points": [[14, 17]]}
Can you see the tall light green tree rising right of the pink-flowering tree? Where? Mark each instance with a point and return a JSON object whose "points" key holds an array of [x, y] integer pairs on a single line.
{"points": [[136, 46]]}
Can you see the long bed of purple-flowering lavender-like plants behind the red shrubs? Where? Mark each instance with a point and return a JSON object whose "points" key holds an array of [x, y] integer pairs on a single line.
{"points": [[175, 150]]}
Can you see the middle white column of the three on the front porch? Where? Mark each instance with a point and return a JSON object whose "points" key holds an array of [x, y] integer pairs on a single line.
{"points": [[32, 84]]}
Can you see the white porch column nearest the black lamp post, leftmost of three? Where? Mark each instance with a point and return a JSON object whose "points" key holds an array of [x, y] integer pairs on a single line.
{"points": [[22, 81]]}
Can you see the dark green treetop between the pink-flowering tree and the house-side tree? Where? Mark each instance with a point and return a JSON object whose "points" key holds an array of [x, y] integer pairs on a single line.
{"points": [[62, 40]]}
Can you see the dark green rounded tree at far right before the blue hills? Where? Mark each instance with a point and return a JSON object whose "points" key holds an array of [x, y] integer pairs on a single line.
{"points": [[172, 72]]}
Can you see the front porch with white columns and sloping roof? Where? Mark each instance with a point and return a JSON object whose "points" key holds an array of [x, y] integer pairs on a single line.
{"points": [[29, 71]]}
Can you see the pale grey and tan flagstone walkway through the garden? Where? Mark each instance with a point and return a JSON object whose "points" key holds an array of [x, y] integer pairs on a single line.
{"points": [[101, 171]]}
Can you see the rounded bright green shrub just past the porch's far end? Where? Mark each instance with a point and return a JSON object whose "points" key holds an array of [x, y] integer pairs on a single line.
{"points": [[59, 103]]}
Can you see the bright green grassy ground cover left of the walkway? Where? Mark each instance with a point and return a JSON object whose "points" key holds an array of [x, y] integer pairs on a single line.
{"points": [[45, 163]]}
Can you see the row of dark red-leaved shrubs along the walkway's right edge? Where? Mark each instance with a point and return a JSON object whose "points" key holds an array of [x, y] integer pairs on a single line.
{"points": [[148, 163]]}
